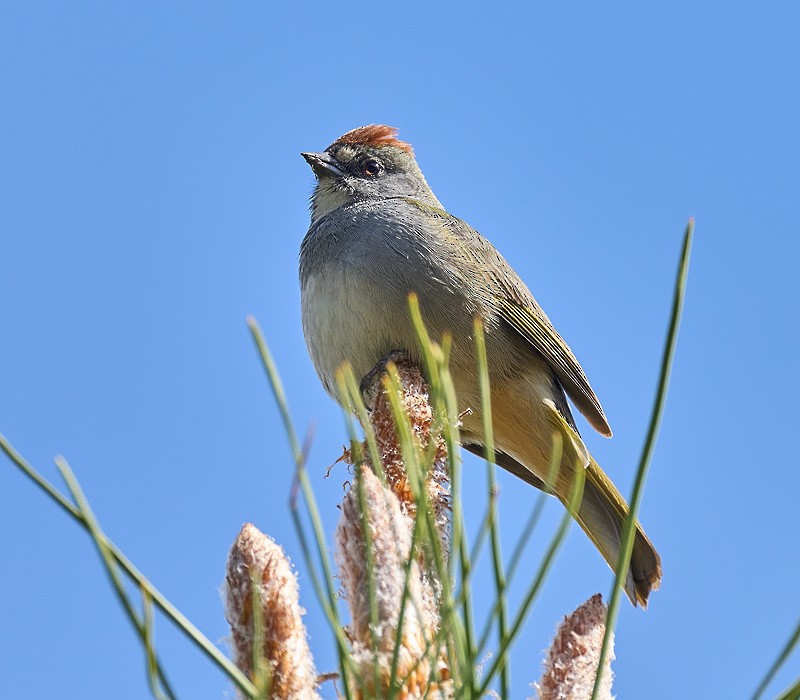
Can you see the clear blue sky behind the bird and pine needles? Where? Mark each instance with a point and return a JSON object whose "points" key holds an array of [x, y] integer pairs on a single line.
{"points": [[152, 195]]}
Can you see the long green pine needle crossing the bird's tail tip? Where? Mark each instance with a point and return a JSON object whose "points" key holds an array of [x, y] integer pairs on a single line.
{"points": [[647, 453]]}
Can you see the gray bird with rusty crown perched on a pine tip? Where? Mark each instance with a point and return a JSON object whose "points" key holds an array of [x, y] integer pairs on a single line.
{"points": [[378, 233]]}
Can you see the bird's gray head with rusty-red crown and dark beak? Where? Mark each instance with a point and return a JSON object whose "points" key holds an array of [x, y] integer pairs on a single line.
{"points": [[366, 163]]}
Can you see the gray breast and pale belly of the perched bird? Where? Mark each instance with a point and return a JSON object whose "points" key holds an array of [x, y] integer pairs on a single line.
{"points": [[357, 267]]}
